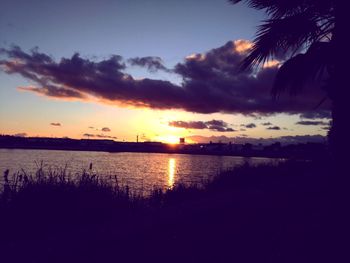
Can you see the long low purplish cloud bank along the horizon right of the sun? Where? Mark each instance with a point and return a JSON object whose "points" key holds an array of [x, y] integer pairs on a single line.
{"points": [[284, 140]]}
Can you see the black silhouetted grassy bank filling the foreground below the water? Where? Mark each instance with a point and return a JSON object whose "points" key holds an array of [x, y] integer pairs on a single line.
{"points": [[264, 213]]}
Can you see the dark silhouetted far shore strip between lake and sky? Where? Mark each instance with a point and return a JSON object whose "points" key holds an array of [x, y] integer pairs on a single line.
{"points": [[276, 150]]}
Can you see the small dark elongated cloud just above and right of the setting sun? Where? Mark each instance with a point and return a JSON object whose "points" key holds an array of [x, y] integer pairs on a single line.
{"points": [[214, 125]]}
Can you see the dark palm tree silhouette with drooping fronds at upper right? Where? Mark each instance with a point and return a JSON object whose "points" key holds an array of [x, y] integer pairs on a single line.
{"points": [[305, 31]]}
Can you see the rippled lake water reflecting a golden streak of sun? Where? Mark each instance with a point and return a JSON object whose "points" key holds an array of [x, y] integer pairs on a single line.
{"points": [[142, 172]]}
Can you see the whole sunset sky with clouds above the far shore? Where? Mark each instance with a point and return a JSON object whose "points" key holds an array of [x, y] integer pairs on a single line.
{"points": [[157, 69]]}
